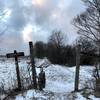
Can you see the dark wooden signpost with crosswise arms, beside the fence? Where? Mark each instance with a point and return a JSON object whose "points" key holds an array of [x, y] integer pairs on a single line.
{"points": [[16, 55]]}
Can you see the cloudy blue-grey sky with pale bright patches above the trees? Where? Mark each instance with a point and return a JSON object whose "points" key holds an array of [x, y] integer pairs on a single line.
{"points": [[34, 20]]}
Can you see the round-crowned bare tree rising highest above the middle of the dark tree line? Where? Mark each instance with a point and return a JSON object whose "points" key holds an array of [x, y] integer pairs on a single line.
{"points": [[56, 45]]}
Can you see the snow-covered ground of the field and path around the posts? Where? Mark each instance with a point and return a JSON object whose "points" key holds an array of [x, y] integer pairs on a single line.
{"points": [[59, 81]]}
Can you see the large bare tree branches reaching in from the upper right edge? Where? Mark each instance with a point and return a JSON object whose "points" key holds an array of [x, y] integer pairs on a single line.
{"points": [[88, 23]]}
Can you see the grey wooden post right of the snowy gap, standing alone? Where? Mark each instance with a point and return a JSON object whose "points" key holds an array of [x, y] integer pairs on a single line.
{"points": [[77, 67]]}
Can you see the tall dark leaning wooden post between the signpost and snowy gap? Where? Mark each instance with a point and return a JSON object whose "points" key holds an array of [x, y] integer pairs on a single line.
{"points": [[33, 65]]}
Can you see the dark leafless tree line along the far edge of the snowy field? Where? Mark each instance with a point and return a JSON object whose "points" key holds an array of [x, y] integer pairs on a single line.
{"points": [[60, 53]]}
